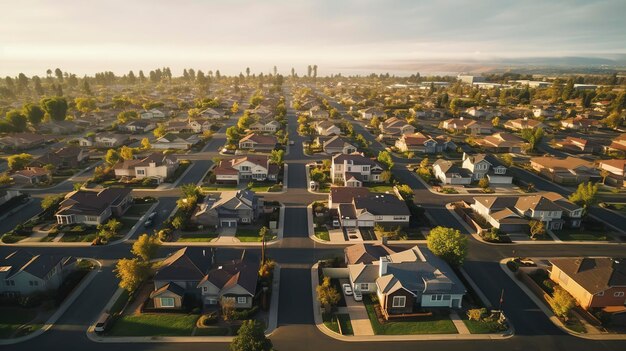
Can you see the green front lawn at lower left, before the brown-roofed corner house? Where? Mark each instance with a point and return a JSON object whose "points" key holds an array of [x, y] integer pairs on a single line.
{"points": [[154, 325]]}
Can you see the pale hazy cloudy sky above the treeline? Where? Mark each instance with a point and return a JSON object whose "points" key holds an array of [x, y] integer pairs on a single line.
{"points": [[91, 36]]}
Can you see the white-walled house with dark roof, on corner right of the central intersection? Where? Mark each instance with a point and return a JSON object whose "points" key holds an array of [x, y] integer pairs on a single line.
{"points": [[374, 209]]}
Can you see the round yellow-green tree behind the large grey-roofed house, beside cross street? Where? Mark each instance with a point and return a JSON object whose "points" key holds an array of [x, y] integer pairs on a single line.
{"points": [[449, 244]]}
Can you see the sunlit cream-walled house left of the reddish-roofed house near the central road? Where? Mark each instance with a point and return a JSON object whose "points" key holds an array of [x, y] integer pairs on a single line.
{"points": [[154, 166]]}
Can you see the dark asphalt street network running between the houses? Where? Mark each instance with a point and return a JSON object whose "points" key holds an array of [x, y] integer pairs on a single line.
{"points": [[296, 253]]}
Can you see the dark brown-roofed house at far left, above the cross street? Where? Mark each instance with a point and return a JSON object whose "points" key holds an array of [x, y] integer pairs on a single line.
{"points": [[93, 207]]}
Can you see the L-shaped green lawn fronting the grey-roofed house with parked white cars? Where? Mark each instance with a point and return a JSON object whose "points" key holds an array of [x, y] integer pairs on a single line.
{"points": [[409, 326]]}
